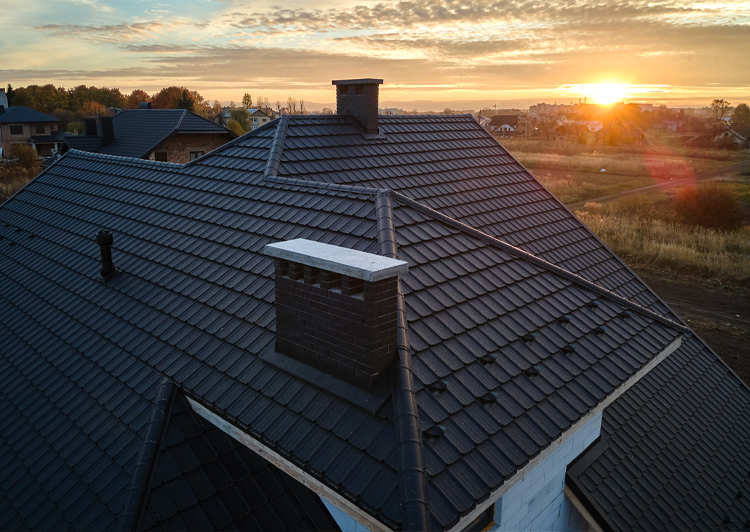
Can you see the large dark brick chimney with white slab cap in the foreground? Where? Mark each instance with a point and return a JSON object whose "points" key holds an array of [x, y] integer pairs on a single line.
{"points": [[336, 308]]}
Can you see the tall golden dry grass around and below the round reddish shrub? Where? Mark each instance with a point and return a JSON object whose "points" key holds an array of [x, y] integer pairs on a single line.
{"points": [[641, 231]]}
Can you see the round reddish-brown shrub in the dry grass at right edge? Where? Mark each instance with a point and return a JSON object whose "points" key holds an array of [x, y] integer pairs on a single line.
{"points": [[711, 206]]}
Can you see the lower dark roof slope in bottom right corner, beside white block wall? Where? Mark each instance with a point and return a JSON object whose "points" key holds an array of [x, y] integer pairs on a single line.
{"points": [[675, 451]]}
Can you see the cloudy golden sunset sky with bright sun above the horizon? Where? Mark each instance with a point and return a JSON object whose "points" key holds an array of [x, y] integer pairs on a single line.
{"points": [[430, 53]]}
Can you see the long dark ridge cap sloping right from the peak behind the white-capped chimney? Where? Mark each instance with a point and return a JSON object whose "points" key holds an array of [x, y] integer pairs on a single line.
{"points": [[519, 253]]}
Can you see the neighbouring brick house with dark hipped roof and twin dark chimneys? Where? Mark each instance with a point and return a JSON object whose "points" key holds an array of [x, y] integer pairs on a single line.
{"points": [[167, 135]]}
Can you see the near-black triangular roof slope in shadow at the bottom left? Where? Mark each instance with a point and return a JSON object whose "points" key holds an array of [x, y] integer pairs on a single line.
{"points": [[206, 480]]}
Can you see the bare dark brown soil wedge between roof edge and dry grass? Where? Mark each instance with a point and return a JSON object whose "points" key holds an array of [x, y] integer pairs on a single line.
{"points": [[720, 315]]}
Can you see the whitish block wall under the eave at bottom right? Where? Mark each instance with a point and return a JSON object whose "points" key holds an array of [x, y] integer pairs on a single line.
{"points": [[538, 501]]}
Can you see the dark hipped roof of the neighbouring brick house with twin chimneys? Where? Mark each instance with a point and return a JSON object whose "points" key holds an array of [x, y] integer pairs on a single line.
{"points": [[138, 132]]}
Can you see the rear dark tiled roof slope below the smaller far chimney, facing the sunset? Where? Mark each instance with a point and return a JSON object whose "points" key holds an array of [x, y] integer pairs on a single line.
{"points": [[453, 165]]}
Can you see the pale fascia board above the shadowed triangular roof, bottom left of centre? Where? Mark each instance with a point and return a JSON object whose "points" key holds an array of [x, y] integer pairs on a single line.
{"points": [[304, 478]]}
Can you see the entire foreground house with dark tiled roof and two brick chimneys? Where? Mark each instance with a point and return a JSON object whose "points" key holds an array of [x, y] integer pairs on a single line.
{"points": [[389, 310]]}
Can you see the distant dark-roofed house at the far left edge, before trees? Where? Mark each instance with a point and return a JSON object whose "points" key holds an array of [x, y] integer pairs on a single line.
{"points": [[22, 125]]}
